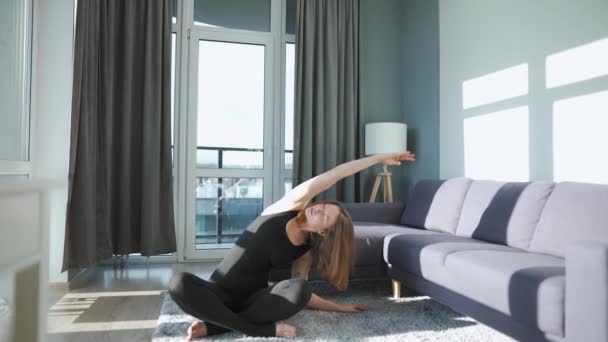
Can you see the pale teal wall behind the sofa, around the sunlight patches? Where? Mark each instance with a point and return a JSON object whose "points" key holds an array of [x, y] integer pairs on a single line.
{"points": [[479, 37]]}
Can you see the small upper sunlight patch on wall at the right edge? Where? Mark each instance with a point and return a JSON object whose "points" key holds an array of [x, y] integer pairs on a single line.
{"points": [[578, 64]]}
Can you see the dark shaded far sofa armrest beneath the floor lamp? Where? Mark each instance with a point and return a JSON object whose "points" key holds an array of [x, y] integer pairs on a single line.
{"points": [[389, 213]]}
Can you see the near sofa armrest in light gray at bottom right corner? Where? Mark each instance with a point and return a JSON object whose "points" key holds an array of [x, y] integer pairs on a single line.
{"points": [[587, 292]]}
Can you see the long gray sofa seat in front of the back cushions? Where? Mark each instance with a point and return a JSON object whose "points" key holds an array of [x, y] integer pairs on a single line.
{"points": [[527, 286]]}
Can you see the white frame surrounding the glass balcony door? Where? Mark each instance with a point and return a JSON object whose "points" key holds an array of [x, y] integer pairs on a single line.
{"points": [[273, 121]]}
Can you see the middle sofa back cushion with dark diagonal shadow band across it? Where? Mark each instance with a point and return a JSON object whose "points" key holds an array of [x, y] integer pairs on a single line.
{"points": [[503, 212]]}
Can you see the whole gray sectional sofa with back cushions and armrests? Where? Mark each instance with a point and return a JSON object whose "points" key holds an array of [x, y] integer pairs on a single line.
{"points": [[528, 259]]}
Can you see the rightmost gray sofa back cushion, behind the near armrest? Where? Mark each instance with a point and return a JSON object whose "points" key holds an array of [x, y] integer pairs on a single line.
{"points": [[574, 212]]}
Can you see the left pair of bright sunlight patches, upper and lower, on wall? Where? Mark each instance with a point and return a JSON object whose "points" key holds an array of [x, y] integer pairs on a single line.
{"points": [[496, 144]]}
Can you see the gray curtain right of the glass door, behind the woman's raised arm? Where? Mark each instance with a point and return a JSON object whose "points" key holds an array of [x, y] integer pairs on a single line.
{"points": [[327, 120]]}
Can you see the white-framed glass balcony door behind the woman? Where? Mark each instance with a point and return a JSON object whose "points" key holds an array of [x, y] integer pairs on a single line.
{"points": [[229, 154]]}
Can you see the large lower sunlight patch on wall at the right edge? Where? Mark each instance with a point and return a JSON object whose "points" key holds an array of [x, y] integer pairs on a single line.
{"points": [[580, 140]]}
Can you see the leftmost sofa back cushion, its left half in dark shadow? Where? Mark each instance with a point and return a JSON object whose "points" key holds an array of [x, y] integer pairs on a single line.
{"points": [[436, 204]]}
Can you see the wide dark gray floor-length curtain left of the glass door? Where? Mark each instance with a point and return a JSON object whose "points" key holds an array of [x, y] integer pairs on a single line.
{"points": [[120, 194]]}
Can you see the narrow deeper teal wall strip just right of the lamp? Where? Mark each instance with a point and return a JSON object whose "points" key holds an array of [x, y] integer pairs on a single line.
{"points": [[420, 70]]}
